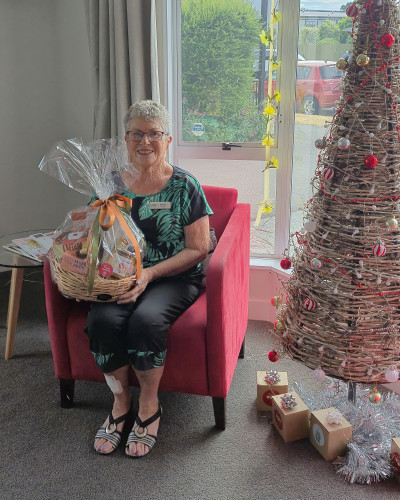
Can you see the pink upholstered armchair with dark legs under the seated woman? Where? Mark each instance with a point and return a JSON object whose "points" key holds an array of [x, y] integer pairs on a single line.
{"points": [[203, 344]]}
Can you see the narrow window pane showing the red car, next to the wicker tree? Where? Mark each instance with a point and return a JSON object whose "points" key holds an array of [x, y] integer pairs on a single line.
{"points": [[318, 100]]}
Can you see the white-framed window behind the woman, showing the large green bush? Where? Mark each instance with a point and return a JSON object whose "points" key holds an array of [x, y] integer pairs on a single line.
{"points": [[218, 100]]}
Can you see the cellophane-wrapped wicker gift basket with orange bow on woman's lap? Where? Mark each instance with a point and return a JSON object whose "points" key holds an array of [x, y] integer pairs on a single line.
{"points": [[97, 252]]}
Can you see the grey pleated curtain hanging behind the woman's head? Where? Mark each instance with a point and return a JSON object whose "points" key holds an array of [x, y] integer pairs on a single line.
{"points": [[123, 52]]}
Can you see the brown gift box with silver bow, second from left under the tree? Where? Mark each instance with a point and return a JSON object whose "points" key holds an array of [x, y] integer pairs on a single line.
{"points": [[290, 416]]}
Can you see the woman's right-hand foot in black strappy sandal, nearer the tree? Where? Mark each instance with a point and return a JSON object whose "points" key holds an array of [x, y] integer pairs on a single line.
{"points": [[139, 449]]}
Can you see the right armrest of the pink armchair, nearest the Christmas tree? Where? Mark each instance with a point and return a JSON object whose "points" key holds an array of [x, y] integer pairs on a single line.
{"points": [[227, 300]]}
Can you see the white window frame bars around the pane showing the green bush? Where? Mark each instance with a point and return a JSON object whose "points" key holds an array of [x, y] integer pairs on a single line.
{"points": [[287, 45]]}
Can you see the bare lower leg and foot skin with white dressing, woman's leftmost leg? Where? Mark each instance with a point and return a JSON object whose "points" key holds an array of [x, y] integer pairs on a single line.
{"points": [[119, 384]]}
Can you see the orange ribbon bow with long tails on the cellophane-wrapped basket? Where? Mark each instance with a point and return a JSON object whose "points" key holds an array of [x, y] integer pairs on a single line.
{"points": [[110, 209]]}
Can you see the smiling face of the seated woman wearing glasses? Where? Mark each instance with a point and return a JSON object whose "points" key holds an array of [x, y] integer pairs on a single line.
{"points": [[145, 153]]}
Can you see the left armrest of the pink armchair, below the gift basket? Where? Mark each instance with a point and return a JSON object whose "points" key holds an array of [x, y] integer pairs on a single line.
{"points": [[58, 308]]}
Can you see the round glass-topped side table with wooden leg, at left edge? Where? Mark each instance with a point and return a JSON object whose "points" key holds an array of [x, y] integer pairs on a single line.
{"points": [[17, 263]]}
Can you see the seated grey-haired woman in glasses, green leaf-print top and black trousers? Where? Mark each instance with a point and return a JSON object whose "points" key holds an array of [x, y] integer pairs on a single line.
{"points": [[169, 206]]}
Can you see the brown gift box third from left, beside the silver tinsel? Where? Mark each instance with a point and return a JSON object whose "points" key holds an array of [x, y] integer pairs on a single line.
{"points": [[330, 432]]}
